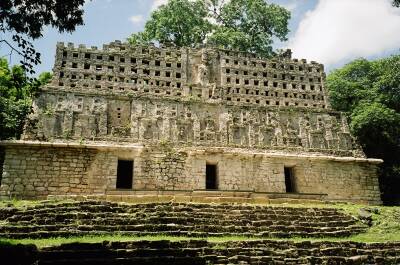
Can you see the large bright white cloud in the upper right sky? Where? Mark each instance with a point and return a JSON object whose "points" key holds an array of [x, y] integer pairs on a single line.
{"points": [[345, 29]]}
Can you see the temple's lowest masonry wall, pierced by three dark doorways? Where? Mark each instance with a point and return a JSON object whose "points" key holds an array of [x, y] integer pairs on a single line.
{"points": [[39, 171]]}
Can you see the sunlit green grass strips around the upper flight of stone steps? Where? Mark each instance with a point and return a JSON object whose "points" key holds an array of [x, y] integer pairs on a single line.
{"points": [[386, 228]]}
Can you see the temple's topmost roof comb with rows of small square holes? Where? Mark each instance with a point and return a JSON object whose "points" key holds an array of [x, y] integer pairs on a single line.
{"points": [[209, 74]]}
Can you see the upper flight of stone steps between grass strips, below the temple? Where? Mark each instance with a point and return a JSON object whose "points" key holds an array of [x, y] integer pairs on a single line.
{"points": [[175, 219]]}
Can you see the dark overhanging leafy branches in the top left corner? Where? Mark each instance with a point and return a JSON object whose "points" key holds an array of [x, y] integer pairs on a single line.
{"points": [[25, 20]]}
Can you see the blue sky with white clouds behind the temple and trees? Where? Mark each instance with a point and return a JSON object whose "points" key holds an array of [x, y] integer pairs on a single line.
{"points": [[332, 32]]}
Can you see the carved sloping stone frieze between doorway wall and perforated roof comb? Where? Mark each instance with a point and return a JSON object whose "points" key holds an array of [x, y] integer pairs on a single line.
{"points": [[67, 116]]}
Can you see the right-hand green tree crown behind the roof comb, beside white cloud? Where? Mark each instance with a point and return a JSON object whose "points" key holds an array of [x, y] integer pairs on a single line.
{"points": [[250, 25]]}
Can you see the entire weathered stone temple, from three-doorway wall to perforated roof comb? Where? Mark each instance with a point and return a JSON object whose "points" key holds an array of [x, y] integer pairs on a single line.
{"points": [[135, 119]]}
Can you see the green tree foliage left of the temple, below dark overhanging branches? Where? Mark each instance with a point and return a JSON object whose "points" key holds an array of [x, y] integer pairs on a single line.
{"points": [[16, 92]]}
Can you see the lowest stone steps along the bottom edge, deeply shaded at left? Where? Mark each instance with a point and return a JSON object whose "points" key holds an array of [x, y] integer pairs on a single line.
{"points": [[196, 252]]}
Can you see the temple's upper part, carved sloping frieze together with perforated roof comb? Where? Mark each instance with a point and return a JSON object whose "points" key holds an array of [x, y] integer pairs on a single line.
{"points": [[182, 96]]}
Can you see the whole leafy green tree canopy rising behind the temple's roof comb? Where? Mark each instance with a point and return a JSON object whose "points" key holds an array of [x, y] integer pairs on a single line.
{"points": [[246, 25]]}
